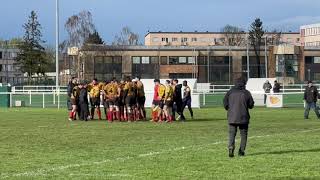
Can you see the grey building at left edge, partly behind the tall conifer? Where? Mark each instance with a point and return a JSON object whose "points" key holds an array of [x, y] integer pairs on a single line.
{"points": [[9, 71]]}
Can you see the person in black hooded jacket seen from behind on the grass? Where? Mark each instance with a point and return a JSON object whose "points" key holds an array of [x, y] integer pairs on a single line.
{"points": [[237, 102]]}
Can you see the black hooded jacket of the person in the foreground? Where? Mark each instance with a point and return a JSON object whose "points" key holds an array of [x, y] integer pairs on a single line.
{"points": [[237, 102]]}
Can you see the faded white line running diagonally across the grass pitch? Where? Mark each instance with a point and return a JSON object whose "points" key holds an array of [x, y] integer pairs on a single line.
{"points": [[43, 172]]}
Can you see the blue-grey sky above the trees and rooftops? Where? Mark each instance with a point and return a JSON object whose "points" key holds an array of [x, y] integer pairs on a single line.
{"points": [[159, 15]]}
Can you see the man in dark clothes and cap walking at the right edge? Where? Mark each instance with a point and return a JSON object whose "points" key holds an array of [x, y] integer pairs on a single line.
{"points": [[311, 95]]}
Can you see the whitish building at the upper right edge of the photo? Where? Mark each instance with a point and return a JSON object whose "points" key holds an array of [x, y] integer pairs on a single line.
{"points": [[310, 35]]}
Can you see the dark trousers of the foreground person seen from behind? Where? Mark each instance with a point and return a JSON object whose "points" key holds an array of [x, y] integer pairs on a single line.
{"points": [[243, 133]]}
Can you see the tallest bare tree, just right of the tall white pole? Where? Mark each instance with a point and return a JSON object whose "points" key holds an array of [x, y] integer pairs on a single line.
{"points": [[79, 27]]}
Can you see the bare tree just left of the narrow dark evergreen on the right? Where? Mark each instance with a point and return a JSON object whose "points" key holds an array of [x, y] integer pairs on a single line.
{"points": [[235, 36]]}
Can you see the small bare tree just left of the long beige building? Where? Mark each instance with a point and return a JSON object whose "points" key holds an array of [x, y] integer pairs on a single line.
{"points": [[126, 37]]}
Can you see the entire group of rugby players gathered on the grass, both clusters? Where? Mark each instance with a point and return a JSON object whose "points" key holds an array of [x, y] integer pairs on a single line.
{"points": [[125, 100]]}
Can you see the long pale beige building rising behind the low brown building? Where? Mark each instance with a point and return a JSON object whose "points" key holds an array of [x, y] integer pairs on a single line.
{"points": [[214, 38]]}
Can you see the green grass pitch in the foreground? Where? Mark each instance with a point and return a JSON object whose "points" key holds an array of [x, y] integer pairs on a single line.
{"points": [[42, 144]]}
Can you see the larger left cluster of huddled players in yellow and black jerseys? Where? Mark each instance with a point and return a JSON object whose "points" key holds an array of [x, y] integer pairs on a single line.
{"points": [[123, 101]]}
